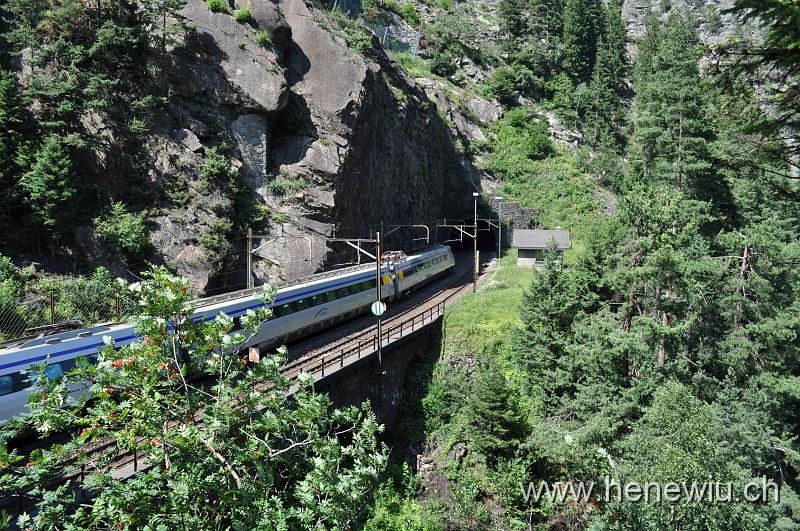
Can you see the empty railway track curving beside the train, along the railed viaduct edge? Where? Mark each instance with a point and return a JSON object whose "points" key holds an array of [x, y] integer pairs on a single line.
{"points": [[311, 355]]}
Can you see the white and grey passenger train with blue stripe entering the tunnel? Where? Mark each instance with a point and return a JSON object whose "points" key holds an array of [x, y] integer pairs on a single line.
{"points": [[300, 308]]}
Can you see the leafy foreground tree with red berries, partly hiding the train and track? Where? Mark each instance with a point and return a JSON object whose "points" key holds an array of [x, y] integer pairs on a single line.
{"points": [[323, 463]]}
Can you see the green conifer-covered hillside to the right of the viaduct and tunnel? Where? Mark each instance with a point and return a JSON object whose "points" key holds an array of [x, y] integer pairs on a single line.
{"points": [[664, 347]]}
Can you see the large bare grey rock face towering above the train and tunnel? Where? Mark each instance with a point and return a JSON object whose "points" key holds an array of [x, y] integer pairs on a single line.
{"points": [[325, 138]]}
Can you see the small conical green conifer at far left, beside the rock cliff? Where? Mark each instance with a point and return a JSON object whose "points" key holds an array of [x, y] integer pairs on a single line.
{"points": [[50, 185]]}
